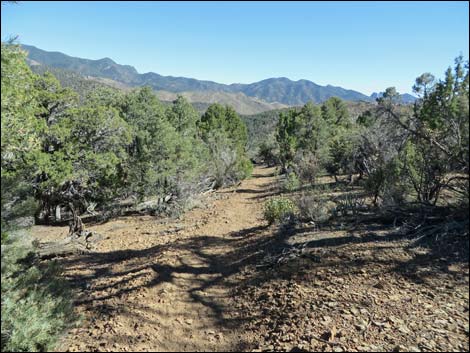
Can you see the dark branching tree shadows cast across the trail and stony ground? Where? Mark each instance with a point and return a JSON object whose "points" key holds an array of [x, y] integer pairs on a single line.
{"points": [[249, 246]]}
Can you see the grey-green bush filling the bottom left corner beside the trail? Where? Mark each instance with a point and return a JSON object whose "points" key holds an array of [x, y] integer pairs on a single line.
{"points": [[36, 306]]}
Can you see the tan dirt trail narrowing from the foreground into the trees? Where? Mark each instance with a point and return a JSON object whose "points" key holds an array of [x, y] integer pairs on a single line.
{"points": [[145, 290]]}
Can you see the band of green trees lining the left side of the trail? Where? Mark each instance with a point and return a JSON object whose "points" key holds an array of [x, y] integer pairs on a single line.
{"points": [[106, 144]]}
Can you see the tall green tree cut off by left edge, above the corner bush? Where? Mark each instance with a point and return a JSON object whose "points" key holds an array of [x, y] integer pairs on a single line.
{"points": [[20, 139]]}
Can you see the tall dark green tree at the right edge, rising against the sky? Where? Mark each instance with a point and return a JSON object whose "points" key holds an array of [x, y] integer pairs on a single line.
{"points": [[434, 137]]}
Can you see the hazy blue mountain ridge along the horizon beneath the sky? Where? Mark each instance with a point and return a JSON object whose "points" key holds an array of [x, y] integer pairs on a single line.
{"points": [[273, 90]]}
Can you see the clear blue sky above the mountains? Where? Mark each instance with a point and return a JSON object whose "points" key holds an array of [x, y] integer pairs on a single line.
{"points": [[366, 46]]}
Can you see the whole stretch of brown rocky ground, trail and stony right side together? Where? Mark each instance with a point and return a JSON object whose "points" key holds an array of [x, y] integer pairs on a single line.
{"points": [[220, 279]]}
